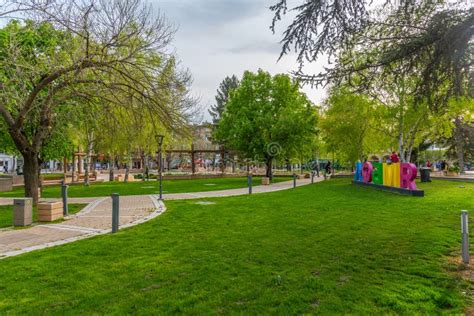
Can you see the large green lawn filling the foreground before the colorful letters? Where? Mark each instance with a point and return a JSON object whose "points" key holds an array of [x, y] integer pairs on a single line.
{"points": [[330, 248]]}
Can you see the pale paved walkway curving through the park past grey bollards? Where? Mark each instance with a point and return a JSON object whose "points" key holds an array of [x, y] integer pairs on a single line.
{"points": [[96, 217]]}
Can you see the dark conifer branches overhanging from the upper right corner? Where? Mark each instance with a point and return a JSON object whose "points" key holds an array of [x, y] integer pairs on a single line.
{"points": [[430, 39]]}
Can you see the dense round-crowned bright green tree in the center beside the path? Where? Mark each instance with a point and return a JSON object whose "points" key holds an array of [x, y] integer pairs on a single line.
{"points": [[267, 117]]}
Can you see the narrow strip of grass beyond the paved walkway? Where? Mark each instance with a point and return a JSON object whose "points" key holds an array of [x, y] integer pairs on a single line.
{"points": [[144, 187]]}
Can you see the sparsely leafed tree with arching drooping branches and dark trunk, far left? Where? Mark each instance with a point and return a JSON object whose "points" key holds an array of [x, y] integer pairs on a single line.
{"points": [[72, 51]]}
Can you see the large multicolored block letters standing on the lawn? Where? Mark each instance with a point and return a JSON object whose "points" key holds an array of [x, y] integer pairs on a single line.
{"points": [[400, 175]]}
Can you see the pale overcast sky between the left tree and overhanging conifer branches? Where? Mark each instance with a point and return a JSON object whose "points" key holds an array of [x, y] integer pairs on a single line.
{"points": [[218, 38]]}
